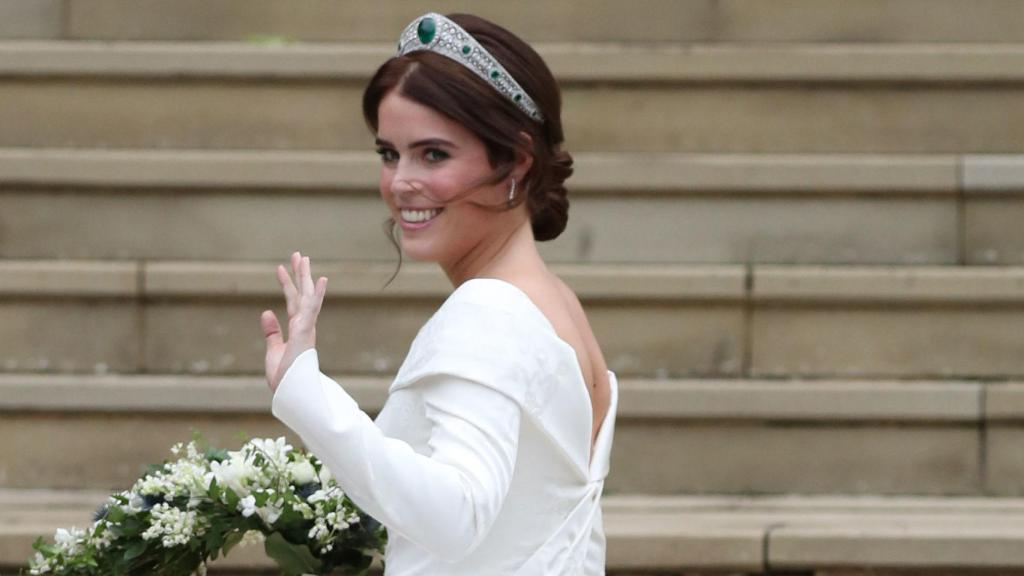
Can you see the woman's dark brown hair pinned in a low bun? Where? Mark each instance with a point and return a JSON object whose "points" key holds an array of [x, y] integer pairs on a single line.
{"points": [[452, 90]]}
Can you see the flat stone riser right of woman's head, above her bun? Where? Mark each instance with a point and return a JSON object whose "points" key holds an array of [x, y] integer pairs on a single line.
{"points": [[819, 118]]}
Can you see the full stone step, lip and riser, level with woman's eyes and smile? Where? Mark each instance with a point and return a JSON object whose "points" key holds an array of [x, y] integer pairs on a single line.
{"points": [[829, 209]]}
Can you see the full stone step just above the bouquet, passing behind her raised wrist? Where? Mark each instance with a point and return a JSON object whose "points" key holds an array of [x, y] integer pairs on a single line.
{"points": [[672, 436]]}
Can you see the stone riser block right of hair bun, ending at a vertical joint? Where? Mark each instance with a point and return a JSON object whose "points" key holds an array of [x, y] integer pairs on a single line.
{"points": [[762, 229]]}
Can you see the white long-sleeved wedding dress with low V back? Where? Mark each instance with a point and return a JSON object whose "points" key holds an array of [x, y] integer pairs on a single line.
{"points": [[479, 464]]}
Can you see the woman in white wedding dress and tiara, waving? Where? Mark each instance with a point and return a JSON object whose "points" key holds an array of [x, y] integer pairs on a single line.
{"points": [[491, 454]]}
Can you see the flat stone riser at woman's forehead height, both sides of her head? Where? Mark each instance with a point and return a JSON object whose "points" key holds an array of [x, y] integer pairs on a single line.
{"points": [[718, 117]]}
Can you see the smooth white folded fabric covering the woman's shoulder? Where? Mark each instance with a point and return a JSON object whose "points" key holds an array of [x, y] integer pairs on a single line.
{"points": [[480, 334]]}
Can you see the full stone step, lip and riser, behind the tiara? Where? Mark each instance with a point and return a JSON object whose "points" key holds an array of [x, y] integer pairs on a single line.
{"points": [[790, 99]]}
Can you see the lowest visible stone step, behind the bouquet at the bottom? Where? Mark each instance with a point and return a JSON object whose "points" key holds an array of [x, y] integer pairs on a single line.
{"points": [[713, 534]]}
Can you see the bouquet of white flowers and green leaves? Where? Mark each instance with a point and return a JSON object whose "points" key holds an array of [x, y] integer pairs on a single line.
{"points": [[184, 514]]}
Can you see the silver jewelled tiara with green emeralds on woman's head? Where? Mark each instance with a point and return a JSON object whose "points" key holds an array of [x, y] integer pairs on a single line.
{"points": [[439, 34]]}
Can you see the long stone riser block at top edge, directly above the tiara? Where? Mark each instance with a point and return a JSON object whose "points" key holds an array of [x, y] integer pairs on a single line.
{"points": [[328, 21]]}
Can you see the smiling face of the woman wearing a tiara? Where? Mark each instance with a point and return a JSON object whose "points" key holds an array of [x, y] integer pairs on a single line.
{"points": [[429, 160]]}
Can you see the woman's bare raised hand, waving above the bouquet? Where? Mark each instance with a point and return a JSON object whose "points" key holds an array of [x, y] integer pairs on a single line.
{"points": [[305, 300]]}
